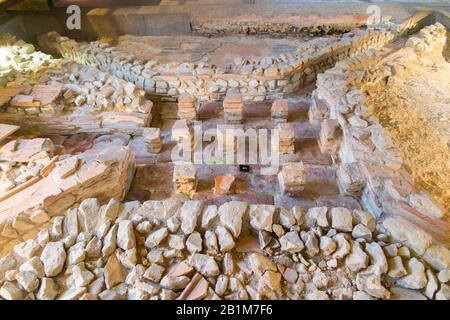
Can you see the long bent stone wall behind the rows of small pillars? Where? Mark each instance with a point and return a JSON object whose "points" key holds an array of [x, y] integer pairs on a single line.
{"points": [[268, 78]]}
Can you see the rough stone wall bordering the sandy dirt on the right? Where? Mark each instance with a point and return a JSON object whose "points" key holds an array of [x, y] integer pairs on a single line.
{"points": [[369, 165]]}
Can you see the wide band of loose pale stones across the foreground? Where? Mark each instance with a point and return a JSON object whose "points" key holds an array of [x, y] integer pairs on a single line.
{"points": [[173, 250]]}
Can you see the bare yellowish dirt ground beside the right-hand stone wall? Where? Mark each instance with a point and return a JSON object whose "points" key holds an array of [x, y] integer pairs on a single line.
{"points": [[415, 110]]}
